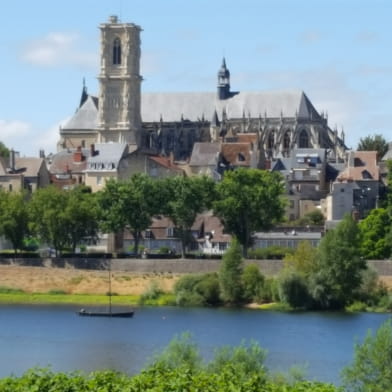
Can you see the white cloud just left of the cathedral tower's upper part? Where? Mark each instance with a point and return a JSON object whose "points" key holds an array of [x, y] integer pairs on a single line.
{"points": [[56, 49]]}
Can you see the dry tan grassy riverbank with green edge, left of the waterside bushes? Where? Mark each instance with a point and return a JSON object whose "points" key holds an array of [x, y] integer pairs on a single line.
{"points": [[33, 285]]}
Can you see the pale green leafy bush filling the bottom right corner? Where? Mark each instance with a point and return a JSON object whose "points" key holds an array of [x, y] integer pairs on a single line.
{"points": [[371, 369]]}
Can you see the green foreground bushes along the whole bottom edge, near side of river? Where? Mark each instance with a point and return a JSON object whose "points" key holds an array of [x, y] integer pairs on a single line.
{"points": [[180, 368]]}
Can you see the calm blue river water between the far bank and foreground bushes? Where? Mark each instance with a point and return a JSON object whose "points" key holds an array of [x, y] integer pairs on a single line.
{"points": [[43, 335]]}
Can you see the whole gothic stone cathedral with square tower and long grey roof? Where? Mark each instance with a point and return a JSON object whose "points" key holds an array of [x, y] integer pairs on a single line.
{"points": [[164, 124]]}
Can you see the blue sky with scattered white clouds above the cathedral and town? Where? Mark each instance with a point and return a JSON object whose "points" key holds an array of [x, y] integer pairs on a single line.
{"points": [[337, 51]]}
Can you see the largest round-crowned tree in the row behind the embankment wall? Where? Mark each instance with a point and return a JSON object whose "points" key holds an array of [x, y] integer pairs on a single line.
{"points": [[249, 200]]}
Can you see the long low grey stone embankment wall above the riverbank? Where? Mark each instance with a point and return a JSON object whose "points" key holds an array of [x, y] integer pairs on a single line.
{"points": [[180, 266]]}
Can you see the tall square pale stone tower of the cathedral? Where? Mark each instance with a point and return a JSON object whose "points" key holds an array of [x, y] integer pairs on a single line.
{"points": [[119, 111]]}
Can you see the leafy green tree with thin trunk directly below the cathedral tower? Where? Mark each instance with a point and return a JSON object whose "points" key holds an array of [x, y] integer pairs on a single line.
{"points": [[129, 204]]}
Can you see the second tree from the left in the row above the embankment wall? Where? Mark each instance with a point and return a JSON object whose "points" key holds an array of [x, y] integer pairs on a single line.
{"points": [[48, 217]]}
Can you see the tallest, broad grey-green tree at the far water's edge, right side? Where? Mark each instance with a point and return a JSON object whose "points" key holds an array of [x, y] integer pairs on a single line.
{"points": [[339, 266]]}
